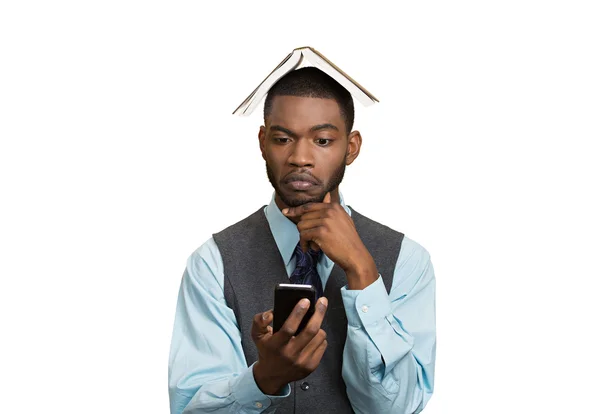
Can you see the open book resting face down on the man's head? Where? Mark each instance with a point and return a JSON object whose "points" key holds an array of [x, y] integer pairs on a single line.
{"points": [[301, 57]]}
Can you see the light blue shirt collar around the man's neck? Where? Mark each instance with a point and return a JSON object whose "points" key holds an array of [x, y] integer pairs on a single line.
{"points": [[284, 230]]}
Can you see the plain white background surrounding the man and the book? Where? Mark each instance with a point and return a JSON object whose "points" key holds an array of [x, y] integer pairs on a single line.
{"points": [[119, 156]]}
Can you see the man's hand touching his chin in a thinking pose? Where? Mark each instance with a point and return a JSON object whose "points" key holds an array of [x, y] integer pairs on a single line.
{"points": [[328, 226]]}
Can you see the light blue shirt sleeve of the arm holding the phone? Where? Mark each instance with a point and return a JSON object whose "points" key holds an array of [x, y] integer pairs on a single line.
{"points": [[207, 367]]}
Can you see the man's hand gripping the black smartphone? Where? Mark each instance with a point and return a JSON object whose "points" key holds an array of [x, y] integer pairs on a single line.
{"points": [[283, 357]]}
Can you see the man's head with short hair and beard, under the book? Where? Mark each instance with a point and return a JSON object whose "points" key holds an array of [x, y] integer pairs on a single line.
{"points": [[306, 140]]}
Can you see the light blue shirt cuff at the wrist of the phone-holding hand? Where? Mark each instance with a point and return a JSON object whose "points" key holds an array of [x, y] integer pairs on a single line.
{"points": [[247, 394]]}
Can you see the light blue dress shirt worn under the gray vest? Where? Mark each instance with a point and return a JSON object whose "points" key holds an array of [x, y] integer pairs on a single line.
{"points": [[389, 355]]}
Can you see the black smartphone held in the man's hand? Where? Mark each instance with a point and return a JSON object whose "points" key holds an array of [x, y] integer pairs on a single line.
{"points": [[286, 298]]}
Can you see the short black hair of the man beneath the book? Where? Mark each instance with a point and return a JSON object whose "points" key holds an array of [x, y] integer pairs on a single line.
{"points": [[311, 82]]}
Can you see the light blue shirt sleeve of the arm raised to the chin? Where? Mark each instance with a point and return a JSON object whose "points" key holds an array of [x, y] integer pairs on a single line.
{"points": [[389, 356]]}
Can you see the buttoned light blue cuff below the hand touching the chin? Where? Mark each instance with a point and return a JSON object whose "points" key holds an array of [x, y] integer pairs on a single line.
{"points": [[368, 306]]}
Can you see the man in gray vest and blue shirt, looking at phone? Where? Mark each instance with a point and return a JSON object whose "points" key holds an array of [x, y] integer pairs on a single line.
{"points": [[370, 345]]}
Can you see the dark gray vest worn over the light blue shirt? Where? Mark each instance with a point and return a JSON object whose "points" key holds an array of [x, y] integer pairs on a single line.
{"points": [[253, 266]]}
